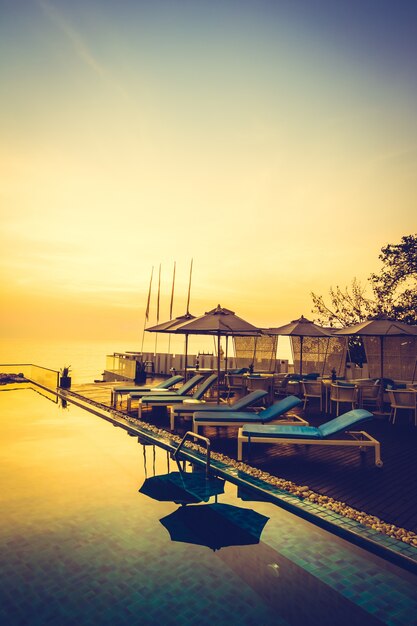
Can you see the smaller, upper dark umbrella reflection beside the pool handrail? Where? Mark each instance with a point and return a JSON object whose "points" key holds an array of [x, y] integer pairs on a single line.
{"points": [[182, 487]]}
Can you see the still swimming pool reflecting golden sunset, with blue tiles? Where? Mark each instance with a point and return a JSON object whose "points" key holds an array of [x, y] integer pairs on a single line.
{"points": [[81, 545]]}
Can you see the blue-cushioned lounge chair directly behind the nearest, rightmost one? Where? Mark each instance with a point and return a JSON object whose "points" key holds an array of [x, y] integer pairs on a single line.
{"points": [[237, 418]]}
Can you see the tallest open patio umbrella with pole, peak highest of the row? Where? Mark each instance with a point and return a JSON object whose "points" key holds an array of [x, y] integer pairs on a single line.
{"points": [[218, 322]]}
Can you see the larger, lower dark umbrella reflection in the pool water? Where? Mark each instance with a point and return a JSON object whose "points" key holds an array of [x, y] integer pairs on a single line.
{"points": [[215, 525]]}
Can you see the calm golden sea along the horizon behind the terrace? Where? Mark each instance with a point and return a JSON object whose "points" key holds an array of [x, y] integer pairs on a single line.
{"points": [[87, 358]]}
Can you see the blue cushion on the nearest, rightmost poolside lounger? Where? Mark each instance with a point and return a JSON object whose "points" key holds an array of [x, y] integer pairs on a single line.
{"points": [[337, 425]]}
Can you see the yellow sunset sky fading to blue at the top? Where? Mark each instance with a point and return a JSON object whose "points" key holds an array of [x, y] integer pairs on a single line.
{"points": [[272, 142]]}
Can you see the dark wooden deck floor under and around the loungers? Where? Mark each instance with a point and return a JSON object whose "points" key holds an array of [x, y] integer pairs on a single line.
{"points": [[389, 493]]}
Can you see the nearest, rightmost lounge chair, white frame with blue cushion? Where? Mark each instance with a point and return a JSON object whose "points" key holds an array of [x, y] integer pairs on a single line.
{"points": [[309, 435]]}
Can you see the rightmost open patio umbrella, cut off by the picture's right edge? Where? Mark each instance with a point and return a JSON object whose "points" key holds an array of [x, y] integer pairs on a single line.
{"points": [[381, 327]]}
